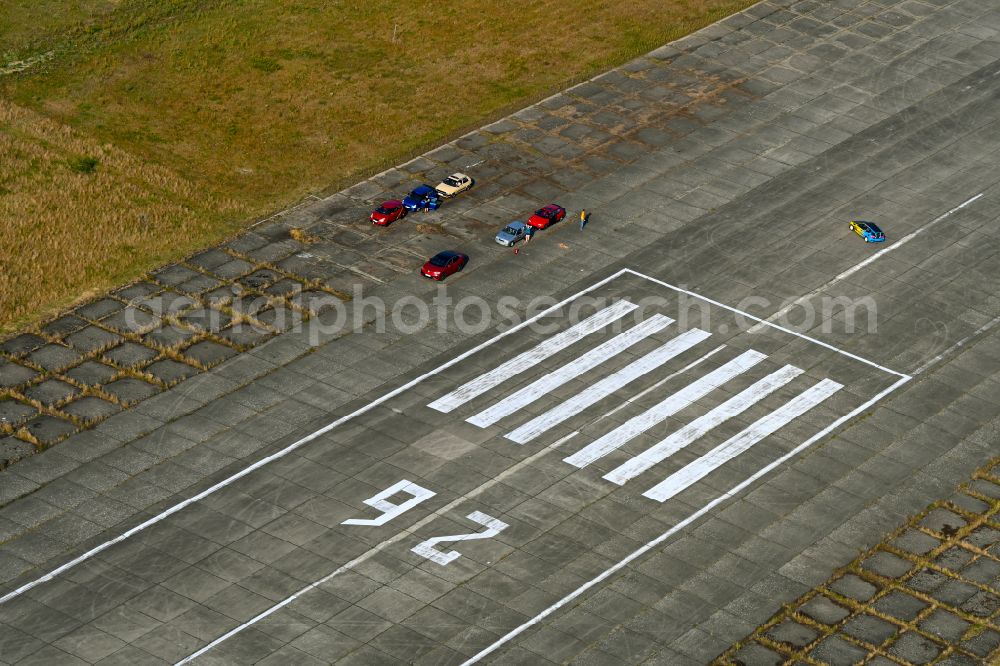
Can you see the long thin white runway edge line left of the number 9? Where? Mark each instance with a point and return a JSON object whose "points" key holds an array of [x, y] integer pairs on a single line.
{"points": [[297, 444]]}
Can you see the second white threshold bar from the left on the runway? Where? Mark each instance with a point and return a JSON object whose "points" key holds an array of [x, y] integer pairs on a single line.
{"points": [[519, 399]]}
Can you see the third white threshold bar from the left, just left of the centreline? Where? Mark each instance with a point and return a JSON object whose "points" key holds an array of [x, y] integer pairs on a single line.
{"points": [[607, 386]]}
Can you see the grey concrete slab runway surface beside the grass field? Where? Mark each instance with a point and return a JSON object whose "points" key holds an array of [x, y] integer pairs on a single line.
{"points": [[725, 165]]}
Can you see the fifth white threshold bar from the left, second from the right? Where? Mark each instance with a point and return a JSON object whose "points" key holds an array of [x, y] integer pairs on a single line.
{"points": [[736, 405]]}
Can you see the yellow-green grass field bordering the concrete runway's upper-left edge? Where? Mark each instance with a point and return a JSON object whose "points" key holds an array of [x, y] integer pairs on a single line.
{"points": [[141, 130]]}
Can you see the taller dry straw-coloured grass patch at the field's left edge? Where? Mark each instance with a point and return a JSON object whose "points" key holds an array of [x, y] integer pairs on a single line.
{"points": [[64, 233]]}
